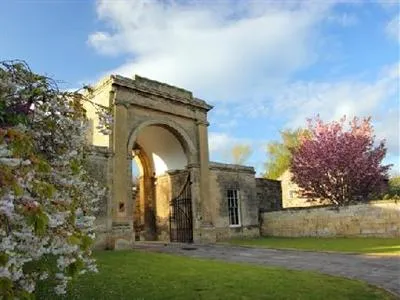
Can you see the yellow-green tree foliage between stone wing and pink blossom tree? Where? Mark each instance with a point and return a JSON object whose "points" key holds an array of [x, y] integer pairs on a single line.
{"points": [[279, 153]]}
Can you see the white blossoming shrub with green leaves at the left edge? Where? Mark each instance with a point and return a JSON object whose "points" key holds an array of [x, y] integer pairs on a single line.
{"points": [[47, 199]]}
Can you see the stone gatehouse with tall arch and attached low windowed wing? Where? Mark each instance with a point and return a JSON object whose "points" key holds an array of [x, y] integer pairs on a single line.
{"points": [[179, 195]]}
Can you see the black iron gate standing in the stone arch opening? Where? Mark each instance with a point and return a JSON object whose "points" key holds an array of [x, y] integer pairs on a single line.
{"points": [[180, 216]]}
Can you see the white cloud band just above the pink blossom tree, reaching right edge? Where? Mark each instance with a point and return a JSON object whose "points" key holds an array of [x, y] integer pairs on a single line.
{"points": [[352, 97]]}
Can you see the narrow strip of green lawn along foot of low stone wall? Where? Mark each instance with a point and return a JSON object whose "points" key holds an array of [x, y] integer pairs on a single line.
{"points": [[357, 245]]}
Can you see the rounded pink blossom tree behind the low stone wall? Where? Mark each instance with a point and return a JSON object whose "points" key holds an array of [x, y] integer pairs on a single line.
{"points": [[339, 163]]}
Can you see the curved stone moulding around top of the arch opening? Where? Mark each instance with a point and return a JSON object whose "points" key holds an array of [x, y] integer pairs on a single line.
{"points": [[181, 135]]}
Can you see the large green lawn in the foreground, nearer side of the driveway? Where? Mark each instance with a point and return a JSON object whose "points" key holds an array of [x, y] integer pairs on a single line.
{"points": [[139, 275]]}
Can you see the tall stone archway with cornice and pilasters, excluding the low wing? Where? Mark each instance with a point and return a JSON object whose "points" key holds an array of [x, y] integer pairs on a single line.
{"points": [[138, 104]]}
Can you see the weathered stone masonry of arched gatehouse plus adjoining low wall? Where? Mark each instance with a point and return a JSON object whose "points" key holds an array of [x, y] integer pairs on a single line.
{"points": [[143, 108]]}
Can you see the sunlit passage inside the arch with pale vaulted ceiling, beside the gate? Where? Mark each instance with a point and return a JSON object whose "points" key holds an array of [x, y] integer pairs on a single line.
{"points": [[163, 156]]}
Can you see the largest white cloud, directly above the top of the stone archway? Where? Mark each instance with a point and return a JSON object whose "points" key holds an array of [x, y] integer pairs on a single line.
{"points": [[221, 50]]}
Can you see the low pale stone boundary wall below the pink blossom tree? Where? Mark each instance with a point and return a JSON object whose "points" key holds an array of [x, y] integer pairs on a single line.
{"points": [[376, 218]]}
